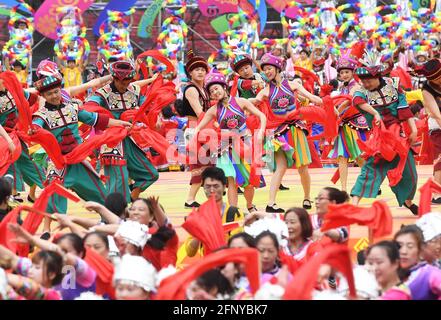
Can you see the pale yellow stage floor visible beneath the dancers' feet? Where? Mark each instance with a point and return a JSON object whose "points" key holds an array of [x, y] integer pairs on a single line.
{"points": [[172, 188]]}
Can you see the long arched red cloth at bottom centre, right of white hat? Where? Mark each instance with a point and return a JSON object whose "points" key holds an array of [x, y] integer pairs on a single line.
{"points": [[175, 286]]}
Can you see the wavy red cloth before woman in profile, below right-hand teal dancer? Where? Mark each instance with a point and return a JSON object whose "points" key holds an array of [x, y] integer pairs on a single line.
{"points": [[378, 217]]}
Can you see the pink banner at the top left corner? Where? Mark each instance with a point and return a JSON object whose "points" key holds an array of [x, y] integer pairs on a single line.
{"points": [[45, 17]]}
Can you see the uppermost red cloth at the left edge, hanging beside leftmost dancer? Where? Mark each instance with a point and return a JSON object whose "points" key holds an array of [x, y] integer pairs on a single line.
{"points": [[14, 87]]}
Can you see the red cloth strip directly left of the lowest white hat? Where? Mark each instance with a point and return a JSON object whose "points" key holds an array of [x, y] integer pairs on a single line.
{"points": [[104, 270]]}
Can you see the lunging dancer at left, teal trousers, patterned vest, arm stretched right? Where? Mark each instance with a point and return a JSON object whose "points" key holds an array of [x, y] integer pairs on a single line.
{"points": [[61, 119]]}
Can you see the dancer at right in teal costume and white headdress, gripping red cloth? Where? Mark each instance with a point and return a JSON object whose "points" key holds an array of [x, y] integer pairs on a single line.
{"points": [[383, 103]]}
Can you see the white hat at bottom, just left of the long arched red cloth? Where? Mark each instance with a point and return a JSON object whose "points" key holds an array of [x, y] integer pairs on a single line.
{"points": [[136, 270]]}
